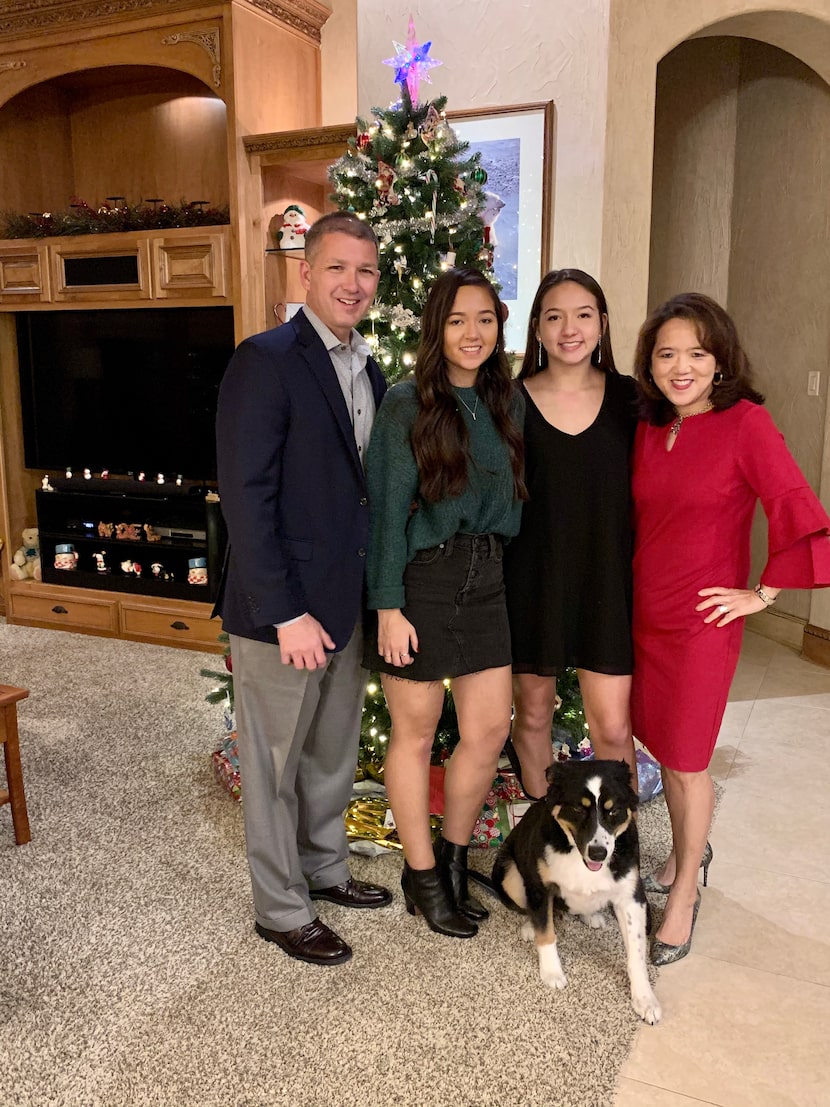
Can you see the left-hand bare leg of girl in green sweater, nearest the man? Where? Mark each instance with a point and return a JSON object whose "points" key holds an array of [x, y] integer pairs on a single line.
{"points": [[416, 709]]}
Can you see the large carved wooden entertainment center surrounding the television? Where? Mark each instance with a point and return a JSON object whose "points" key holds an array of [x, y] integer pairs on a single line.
{"points": [[215, 104]]}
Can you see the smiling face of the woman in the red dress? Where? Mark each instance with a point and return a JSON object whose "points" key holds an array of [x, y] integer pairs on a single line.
{"points": [[682, 369]]}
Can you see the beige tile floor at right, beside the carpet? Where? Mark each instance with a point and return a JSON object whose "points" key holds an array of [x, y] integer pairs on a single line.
{"points": [[746, 1015]]}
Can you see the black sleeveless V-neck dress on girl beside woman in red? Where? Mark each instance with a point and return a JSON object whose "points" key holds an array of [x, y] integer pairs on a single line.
{"points": [[568, 573]]}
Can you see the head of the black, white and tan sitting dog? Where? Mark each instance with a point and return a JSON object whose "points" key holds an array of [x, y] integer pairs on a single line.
{"points": [[594, 803]]}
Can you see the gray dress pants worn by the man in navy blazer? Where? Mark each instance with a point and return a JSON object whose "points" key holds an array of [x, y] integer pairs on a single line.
{"points": [[298, 736]]}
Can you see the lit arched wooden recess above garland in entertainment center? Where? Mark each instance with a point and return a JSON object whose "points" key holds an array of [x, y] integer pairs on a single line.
{"points": [[130, 131]]}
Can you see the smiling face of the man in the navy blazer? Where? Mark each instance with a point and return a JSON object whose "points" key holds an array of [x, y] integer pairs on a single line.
{"points": [[340, 280]]}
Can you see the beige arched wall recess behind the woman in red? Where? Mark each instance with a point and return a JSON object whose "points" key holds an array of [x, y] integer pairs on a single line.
{"points": [[740, 211]]}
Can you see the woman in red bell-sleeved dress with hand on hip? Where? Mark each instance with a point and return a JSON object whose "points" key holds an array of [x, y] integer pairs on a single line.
{"points": [[707, 453]]}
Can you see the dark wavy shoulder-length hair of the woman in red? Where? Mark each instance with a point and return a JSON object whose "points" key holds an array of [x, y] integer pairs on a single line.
{"points": [[718, 336]]}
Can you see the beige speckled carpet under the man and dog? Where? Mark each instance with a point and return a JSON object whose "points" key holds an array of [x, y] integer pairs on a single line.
{"points": [[130, 974]]}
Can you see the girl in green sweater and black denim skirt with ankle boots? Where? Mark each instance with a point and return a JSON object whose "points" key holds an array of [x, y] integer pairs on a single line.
{"points": [[445, 482]]}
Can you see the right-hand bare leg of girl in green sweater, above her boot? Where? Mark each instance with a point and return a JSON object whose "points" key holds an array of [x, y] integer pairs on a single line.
{"points": [[483, 706]]}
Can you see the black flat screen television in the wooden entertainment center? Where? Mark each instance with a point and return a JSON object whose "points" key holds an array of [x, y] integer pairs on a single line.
{"points": [[124, 390]]}
